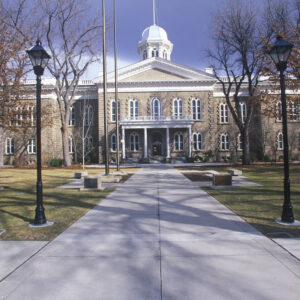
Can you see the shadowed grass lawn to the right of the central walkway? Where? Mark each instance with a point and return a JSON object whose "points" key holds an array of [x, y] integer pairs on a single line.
{"points": [[260, 206]]}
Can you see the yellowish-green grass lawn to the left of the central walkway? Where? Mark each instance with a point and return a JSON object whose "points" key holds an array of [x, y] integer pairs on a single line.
{"points": [[63, 207]]}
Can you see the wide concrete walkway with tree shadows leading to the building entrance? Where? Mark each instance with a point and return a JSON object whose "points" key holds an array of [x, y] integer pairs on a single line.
{"points": [[158, 236]]}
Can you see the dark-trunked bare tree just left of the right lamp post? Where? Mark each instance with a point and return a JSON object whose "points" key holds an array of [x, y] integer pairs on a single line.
{"points": [[238, 61]]}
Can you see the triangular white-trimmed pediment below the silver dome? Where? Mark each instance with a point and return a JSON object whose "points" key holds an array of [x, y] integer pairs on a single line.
{"points": [[174, 71]]}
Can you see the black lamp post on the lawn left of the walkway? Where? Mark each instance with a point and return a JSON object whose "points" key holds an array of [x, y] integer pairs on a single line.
{"points": [[39, 59]]}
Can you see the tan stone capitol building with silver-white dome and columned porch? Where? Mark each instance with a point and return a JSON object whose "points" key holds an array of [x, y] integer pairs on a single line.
{"points": [[167, 111]]}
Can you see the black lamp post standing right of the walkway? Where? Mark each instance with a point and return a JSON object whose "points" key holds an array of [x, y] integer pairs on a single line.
{"points": [[280, 53]]}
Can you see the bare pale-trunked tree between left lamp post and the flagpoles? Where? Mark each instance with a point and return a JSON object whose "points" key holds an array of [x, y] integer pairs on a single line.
{"points": [[72, 39]]}
